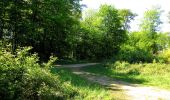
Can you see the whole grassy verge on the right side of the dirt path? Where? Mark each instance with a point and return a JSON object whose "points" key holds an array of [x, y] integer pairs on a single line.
{"points": [[154, 74]]}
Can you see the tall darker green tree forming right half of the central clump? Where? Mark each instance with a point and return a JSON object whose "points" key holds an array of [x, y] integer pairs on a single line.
{"points": [[113, 34]]}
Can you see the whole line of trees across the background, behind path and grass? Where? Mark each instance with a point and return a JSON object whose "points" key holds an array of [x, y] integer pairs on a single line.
{"points": [[57, 26]]}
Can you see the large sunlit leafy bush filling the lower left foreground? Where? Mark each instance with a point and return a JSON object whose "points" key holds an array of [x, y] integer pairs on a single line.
{"points": [[23, 78]]}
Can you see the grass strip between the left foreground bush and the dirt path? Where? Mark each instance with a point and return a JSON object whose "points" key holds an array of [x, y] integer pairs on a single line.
{"points": [[86, 90]]}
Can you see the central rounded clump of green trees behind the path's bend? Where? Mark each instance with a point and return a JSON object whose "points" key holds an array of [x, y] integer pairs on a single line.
{"points": [[101, 34]]}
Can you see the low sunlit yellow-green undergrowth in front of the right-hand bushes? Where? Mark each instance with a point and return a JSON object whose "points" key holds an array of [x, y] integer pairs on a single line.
{"points": [[150, 69]]}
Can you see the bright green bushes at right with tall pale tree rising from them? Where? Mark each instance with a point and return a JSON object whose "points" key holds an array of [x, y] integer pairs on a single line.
{"points": [[142, 46]]}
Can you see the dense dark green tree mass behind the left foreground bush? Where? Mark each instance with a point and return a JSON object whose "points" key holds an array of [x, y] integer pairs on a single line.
{"points": [[49, 26]]}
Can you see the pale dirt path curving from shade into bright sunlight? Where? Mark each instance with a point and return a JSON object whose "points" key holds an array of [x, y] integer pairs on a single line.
{"points": [[132, 91]]}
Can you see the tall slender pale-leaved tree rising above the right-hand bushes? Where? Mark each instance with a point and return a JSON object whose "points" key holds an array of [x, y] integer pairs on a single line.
{"points": [[149, 26]]}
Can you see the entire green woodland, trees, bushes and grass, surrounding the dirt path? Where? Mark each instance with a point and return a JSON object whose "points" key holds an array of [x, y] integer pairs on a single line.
{"points": [[38, 35]]}
